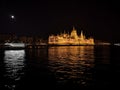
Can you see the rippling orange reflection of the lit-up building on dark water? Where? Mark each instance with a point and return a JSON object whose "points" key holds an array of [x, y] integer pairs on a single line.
{"points": [[72, 64]]}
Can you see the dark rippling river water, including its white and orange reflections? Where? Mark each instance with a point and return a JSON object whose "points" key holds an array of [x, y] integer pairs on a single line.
{"points": [[60, 67]]}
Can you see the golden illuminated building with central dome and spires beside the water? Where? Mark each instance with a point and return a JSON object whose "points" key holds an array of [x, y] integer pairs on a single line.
{"points": [[70, 39]]}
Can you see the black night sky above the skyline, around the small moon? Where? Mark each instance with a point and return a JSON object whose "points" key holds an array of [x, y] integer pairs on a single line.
{"points": [[97, 19]]}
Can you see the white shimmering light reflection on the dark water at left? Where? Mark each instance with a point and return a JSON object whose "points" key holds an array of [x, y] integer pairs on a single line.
{"points": [[14, 64]]}
